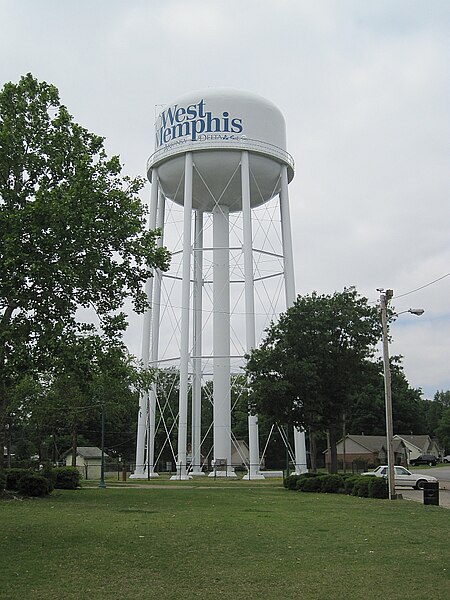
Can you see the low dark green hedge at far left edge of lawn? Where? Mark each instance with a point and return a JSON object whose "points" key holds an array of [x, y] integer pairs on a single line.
{"points": [[40, 483]]}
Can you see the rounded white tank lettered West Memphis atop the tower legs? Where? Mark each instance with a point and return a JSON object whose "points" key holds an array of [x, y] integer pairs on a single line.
{"points": [[217, 125]]}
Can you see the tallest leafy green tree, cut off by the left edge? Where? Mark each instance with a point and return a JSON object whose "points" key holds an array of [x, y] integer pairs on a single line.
{"points": [[72, 231]]}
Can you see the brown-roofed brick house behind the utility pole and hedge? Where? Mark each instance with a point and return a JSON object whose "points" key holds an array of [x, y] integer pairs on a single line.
{"points": [[369, 449]]}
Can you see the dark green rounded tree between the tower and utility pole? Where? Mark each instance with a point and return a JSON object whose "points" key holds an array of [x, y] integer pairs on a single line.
{"points": [[312, 362]]}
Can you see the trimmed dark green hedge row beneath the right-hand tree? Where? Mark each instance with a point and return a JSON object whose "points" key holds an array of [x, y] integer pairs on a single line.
{"points": [[363, 486]]}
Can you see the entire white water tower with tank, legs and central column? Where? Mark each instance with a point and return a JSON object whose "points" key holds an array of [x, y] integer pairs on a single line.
{"points": [[220, 154]]}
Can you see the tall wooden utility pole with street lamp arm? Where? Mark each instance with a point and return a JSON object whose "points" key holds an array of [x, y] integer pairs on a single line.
{"points": [[385, 296]]}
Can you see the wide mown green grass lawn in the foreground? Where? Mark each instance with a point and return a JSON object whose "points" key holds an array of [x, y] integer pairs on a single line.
{"points": [[215, 539]]}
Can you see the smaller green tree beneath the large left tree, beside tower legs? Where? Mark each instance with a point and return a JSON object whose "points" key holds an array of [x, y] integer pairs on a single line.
{"points": [[90, 372]]}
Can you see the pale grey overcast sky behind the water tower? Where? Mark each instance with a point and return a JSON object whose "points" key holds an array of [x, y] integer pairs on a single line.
{"points": [[365, 91]]}
